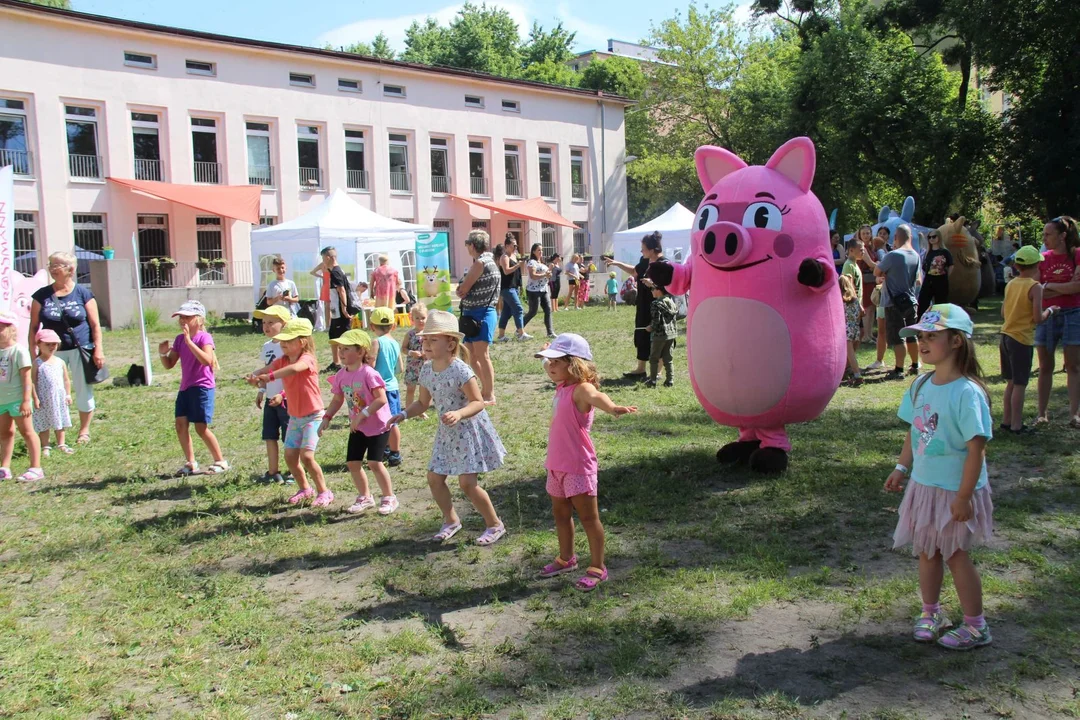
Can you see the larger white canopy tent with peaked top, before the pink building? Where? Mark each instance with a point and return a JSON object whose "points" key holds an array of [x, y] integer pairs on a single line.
{"points": [[359, 235]]}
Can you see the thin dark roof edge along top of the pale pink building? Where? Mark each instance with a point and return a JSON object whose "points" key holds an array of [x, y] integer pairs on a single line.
{"points": [[72, 16]]}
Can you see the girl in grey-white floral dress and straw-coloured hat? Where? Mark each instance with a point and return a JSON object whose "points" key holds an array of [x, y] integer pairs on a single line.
{"points": [[466, 442]]}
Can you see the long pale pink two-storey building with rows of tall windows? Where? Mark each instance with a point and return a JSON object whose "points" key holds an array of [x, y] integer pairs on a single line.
{"points": [[85, 99]]}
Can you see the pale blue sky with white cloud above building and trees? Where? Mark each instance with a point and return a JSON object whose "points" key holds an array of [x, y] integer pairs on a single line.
{"points": [[344, 22]]}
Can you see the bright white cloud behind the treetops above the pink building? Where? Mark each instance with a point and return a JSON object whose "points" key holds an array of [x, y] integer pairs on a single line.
{"points": [[590, 36]]}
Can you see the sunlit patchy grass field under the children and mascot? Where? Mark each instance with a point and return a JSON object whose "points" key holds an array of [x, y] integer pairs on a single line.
{"points": [[128, 594]]}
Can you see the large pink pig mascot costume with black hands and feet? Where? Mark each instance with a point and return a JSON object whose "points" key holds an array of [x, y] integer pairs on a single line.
{"points": [[766, 329]]}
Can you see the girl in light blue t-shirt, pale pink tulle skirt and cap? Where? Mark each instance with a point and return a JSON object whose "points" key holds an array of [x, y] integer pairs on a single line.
{"points": [[948, 507]]}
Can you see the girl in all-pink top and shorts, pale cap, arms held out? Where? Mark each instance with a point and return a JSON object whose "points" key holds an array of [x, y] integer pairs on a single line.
{"points": [[572, 458]]}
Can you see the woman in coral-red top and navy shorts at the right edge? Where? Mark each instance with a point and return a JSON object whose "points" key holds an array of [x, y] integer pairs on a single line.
{"points": [[1059, 273]]}
